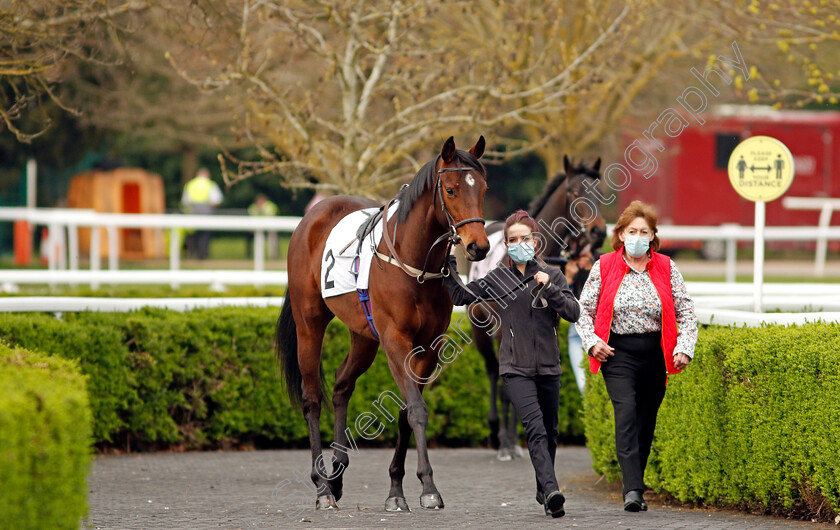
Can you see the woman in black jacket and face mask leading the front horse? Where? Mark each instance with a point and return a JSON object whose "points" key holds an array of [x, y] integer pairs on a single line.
{"points": [[529, 358]]}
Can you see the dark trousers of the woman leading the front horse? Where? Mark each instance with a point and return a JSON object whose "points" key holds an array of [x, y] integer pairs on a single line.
{"points": [[536, 400]]}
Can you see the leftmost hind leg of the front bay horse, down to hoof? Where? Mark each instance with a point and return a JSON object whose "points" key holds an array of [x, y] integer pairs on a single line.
{"points": [[310, 332]]}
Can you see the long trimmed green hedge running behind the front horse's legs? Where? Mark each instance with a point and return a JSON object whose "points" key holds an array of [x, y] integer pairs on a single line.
{"points": [[209, 378]]}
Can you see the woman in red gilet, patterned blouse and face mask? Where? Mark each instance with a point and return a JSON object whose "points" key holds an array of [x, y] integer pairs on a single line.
{"points": [[638, 325]]}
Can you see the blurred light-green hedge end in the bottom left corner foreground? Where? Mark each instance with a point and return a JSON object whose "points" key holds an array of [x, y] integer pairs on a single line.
{"points": [[45, 436]]}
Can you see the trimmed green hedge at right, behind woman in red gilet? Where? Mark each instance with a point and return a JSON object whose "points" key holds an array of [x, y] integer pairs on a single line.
{"points": [[754, 422]]}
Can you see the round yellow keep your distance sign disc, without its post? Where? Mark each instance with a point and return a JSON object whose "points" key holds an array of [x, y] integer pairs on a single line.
{"points": [[761, 169]]}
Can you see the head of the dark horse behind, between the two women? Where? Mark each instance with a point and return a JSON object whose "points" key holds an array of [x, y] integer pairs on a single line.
{"points": [[583, 202]]}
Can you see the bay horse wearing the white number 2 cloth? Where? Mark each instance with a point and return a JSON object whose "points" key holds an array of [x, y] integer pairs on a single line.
{"points": [[410, 308]]}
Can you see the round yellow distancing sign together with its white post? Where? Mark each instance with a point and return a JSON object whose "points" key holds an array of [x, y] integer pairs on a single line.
{"points": [[761, 170]]}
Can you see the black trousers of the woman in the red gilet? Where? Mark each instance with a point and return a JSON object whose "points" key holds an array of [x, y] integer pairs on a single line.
{"points": [[635, 380]]}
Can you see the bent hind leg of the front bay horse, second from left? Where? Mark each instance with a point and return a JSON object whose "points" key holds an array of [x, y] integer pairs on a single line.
{"points": [[362, 353]]}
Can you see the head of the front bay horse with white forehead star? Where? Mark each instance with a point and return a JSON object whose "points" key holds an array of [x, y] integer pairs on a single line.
{"points": [[460, 188]]}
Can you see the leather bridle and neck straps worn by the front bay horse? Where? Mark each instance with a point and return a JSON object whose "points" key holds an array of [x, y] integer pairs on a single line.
{"points": [[451, 237]]}
